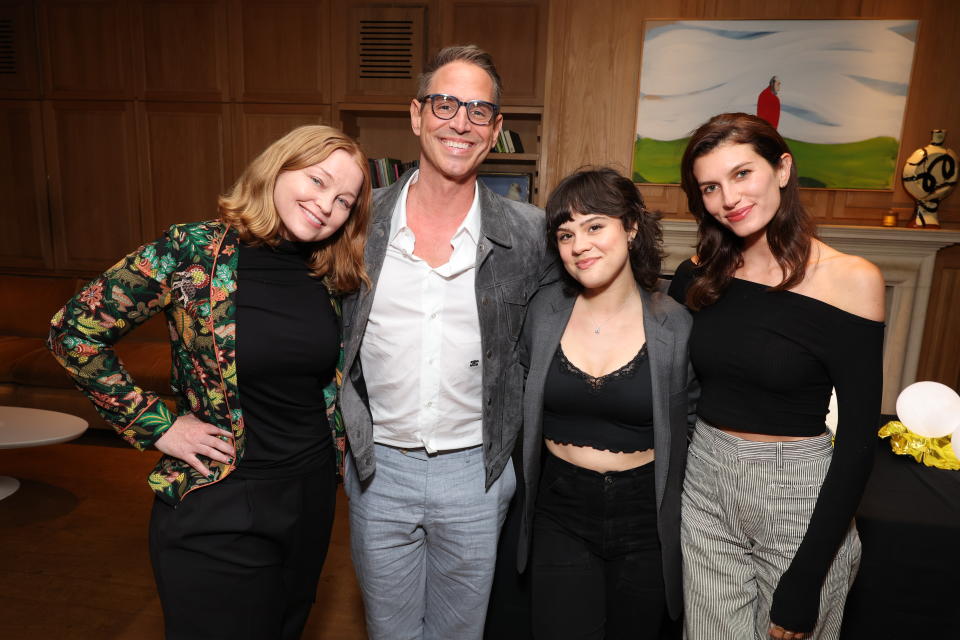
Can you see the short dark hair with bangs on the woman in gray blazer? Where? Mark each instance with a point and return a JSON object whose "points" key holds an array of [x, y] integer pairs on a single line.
{"points": [[605, 191]]}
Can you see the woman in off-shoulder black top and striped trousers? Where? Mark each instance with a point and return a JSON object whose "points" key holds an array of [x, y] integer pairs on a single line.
{"points": [[780, 318]]}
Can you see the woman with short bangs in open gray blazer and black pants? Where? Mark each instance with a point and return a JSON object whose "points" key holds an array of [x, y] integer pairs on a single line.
{"points": [[607, 401]]}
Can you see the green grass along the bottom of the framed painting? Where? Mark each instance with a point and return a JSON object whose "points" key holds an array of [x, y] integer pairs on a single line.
{"points": [[869, 164]]}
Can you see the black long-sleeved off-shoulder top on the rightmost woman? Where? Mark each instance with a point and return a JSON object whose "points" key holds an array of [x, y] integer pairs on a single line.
{"points": [[766, 361]]}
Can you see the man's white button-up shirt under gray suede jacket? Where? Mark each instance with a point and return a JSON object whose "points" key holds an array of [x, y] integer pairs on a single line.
{"points": [[421, 352]]}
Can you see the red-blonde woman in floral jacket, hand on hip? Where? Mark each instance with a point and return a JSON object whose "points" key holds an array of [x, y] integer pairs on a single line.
{"points": [[246, 487]]}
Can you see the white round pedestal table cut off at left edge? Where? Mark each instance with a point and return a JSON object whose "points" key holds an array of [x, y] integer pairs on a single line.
{"points": [[25, 427]]}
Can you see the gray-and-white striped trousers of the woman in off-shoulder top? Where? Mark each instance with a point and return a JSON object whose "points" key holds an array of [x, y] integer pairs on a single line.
{"points": [[745, 510]]}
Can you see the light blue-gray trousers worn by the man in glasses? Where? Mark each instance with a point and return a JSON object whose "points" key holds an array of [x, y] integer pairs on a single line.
{"points": [[423, 536]]}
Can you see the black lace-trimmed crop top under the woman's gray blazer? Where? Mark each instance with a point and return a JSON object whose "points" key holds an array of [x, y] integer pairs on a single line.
{"points": [[613, 412]]}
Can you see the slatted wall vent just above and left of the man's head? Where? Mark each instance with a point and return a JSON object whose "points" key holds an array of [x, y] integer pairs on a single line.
{"points": [[386, 49]]}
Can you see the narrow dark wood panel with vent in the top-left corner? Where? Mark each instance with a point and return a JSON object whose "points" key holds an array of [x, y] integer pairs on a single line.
{"points": [[19, 66]]}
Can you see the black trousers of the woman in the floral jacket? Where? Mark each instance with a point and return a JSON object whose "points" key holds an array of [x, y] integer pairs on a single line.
{"points": [[242, 558]]}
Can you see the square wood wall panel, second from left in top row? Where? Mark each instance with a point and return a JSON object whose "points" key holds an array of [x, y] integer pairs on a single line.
{"points": [[87, 49]]}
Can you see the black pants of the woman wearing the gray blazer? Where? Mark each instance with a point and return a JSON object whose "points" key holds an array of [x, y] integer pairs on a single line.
{"points": [[596, 566]]}
